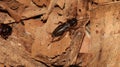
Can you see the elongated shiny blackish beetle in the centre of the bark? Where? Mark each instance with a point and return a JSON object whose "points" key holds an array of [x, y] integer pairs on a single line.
{"points": [[62, 28]]}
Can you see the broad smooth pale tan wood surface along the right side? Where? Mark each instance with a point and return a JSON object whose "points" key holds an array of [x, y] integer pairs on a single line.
{"points": [[105, 27]]}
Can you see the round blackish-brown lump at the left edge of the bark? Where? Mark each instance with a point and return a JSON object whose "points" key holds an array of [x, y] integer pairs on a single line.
{"points": [[5, 30]]}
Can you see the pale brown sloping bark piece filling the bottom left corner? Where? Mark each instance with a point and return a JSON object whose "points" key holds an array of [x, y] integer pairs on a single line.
{"points": [[13, 55]]}
